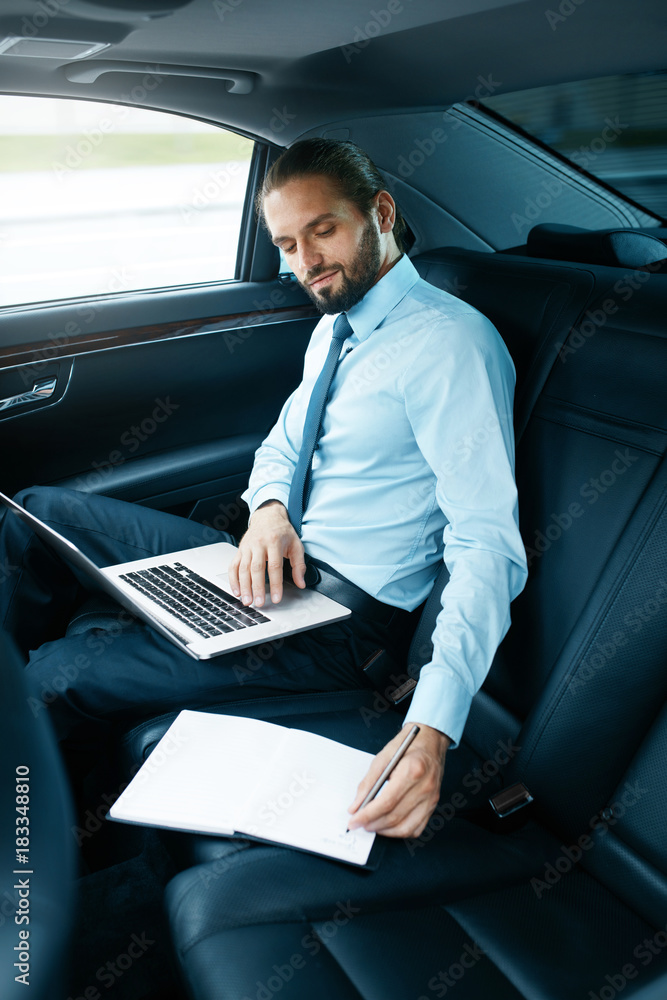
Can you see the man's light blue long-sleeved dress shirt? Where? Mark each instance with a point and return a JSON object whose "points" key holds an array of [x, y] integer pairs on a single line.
{"points": [[416, 459]]}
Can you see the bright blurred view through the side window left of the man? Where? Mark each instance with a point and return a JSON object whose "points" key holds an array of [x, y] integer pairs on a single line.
{"points": [[98, 198]]}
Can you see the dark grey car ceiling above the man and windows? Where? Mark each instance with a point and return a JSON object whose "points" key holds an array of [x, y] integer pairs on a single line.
{"points": [[320, 63]]}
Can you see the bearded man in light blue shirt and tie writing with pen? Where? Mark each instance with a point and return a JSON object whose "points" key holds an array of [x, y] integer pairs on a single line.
{"points": [[414, 451]]}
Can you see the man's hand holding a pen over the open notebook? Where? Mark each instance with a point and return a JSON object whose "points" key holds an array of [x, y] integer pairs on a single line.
{"points": [[404, 806]]}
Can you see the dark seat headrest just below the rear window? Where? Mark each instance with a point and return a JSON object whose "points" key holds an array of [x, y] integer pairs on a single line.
{"points": [[611, 247]]}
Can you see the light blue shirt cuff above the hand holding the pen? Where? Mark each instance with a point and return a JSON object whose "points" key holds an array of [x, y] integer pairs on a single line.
{"points": [[441, 701]]}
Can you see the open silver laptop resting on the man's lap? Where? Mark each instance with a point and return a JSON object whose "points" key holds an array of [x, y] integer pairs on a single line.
{"points": [[186, 596]]}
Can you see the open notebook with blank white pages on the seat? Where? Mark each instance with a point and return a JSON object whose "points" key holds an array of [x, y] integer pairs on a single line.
{"points": [[222, 774]]}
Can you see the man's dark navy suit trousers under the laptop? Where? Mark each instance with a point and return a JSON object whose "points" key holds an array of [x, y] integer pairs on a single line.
{"points": [[127, 671]]}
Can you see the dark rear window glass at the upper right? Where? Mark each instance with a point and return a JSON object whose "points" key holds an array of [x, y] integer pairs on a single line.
{"points": [[615, 127]]}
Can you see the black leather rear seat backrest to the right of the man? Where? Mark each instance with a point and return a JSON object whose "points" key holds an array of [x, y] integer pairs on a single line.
{"points": [[585, 663]]}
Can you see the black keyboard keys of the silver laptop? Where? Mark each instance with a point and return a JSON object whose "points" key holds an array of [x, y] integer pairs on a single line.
{"points": [[206, 609]]}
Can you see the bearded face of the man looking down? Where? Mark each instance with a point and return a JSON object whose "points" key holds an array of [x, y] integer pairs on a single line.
{"points": [[333, 249]]}
